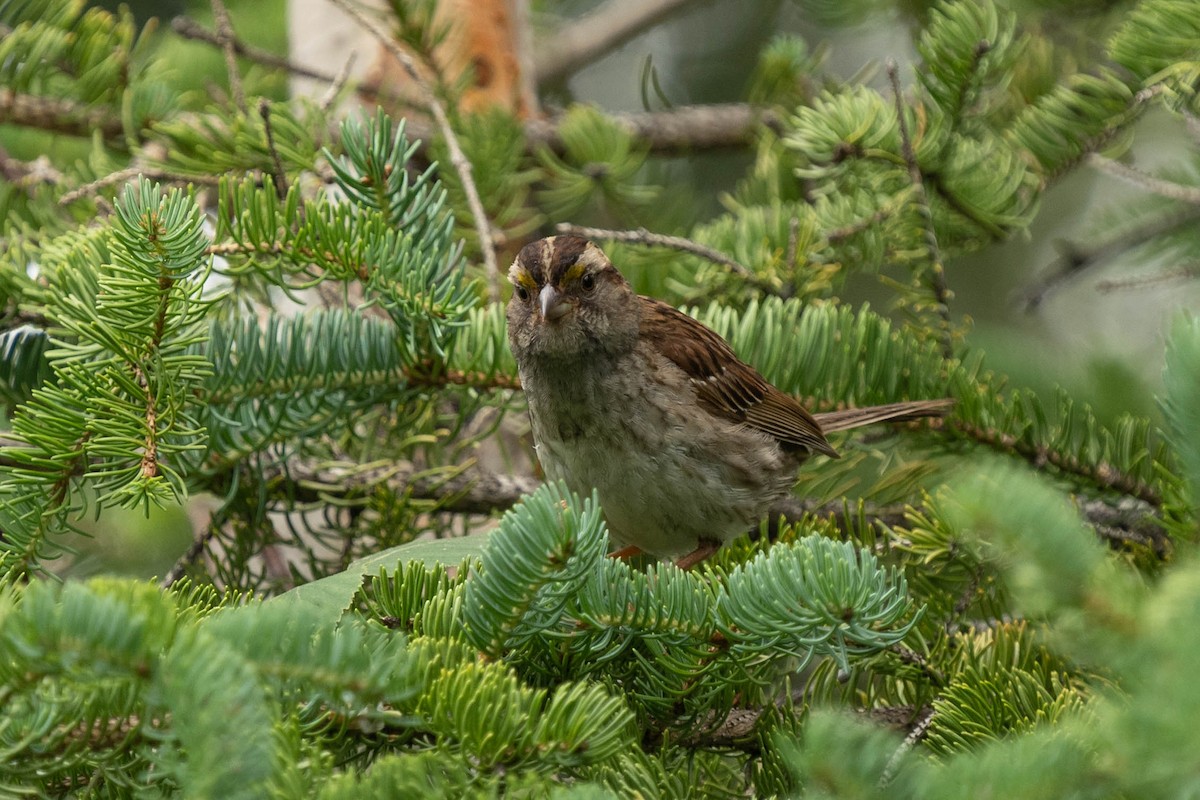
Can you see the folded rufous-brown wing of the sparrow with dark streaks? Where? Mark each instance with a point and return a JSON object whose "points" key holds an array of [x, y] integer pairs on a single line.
{"points": [[724, 384]]}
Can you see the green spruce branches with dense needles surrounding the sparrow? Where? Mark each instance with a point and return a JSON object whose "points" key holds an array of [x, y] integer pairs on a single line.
{"points": [[284, 314]]}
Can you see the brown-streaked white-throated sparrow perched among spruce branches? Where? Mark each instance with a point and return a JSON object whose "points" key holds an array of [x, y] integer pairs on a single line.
{"points": [[687, 446]]}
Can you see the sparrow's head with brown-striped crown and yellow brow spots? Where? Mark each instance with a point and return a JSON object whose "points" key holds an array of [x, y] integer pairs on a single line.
{"points": [[569, 302]]}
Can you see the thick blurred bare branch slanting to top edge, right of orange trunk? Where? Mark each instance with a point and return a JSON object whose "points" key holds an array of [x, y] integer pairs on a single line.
{"points": [[587, 39]]}
